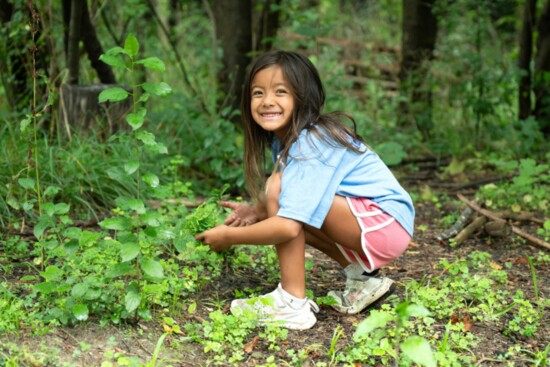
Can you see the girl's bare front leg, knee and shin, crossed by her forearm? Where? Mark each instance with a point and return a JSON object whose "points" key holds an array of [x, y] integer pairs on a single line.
{"points": [[292, 253]]}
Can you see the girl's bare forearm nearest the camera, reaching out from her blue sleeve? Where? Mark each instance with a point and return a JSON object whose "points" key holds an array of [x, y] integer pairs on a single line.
{"points": [[272, 230]]}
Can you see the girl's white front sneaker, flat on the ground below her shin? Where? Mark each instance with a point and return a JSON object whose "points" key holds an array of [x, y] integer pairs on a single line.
{"points": [[275, 307]]}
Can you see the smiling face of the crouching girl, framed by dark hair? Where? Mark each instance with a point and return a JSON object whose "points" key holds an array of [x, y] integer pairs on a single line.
{"points": [[271, 102]]}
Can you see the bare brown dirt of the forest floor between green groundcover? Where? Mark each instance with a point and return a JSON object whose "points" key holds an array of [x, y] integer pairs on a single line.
{"points": [[90, 345]]}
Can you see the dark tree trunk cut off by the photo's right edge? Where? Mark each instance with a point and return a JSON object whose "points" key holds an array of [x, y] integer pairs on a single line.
{"points": [[542, 72]]}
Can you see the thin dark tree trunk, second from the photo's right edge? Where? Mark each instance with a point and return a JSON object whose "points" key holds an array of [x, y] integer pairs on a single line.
{"points": [[525, 54]]}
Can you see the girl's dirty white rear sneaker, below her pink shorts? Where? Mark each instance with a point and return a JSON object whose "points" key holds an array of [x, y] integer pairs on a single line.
{"points": [[361, 291]]}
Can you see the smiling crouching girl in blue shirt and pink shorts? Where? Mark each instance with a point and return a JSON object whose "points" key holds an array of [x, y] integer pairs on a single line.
{"points": [[328, 189]]}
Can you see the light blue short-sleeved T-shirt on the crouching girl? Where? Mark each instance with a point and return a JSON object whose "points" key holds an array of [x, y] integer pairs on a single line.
{"points": [[316, 171]]}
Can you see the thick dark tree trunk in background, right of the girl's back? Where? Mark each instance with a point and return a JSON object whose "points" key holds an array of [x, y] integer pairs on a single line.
{"points": [[418, 43]]}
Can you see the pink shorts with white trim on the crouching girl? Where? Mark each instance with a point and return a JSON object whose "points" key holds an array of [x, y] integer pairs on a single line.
{"points": [[382, 237]]}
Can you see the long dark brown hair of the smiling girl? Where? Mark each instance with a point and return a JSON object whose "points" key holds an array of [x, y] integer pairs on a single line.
{"points": [[309, 97]]}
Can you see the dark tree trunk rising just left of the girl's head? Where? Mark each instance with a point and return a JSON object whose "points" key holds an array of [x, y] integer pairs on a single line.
{"points": [[233, 20]]}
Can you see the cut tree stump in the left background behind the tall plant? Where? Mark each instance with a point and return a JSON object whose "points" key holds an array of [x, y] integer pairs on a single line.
{"points": [[80, 111]]}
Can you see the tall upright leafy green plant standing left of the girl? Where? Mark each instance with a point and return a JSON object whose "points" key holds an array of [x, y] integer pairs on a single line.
{"points": [[133, 238]]}
